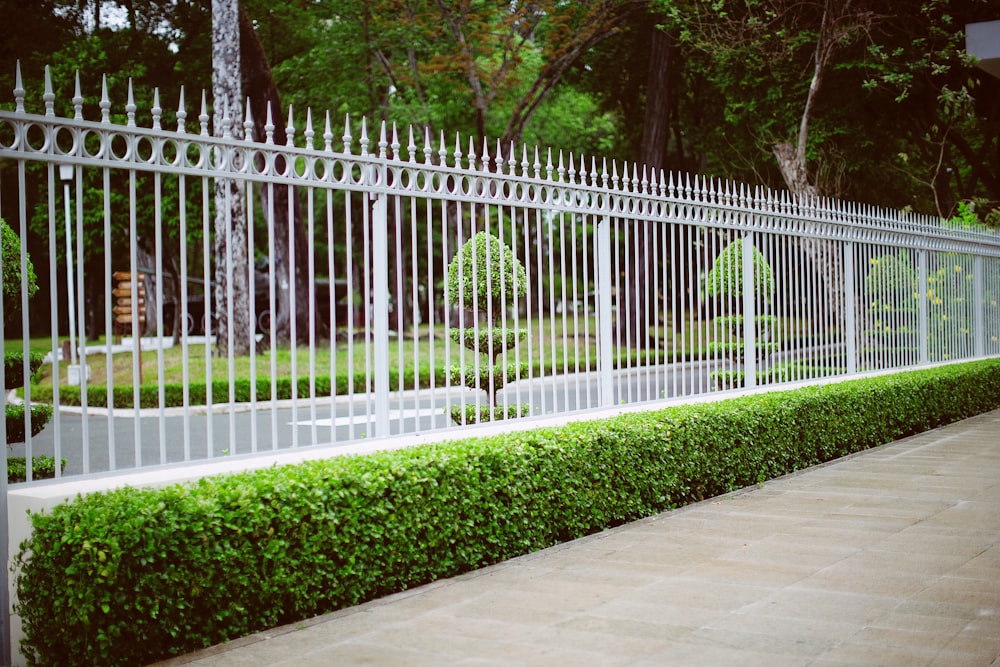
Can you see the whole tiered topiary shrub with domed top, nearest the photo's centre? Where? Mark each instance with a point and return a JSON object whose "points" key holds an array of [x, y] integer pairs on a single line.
{"points": [[486, 278]]}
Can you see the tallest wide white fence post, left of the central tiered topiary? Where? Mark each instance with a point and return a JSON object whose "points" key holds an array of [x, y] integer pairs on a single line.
{"points": [[380, 312]]}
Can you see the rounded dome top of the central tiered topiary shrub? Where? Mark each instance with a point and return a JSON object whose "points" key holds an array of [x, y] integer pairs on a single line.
{"points": [[485, 274]]}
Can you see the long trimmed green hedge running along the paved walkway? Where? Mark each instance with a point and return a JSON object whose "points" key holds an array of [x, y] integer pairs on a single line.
{"points": [[132, 576]]}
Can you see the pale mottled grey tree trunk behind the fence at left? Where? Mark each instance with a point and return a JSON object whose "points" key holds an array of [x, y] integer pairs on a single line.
{"points": [[232, 269]]}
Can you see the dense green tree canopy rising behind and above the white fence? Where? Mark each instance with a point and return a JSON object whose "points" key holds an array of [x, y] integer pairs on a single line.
{"points": [[899, 115]]}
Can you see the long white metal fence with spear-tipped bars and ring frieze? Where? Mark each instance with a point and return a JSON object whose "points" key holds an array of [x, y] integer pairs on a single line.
{"points": [[635, 286]]}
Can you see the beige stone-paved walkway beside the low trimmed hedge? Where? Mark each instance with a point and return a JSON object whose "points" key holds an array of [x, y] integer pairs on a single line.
{"points": [[891, 557]]}
